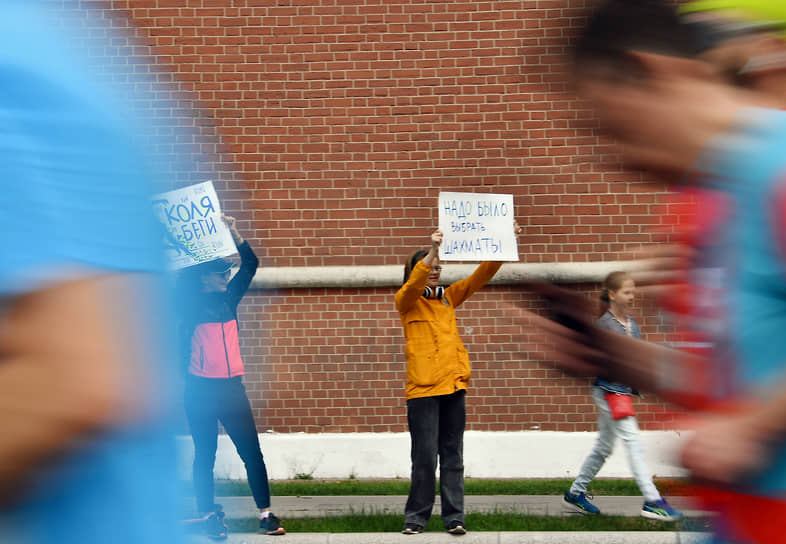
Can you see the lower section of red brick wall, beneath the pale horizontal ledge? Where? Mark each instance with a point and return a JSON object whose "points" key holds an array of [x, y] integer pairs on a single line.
{"points": [[332, 361]]}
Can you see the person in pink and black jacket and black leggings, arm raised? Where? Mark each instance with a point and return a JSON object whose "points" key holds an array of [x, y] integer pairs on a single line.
{"points": [[214, 388]]}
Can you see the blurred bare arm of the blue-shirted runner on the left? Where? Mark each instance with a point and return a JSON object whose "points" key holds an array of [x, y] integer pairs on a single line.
{"points": [[70, 368]]}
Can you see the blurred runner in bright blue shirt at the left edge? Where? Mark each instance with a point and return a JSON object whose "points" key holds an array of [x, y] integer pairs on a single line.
{"points": [[86, 453]]}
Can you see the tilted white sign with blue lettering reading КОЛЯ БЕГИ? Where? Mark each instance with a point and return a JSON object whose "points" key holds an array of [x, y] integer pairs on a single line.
{"points": [[193, 230]]}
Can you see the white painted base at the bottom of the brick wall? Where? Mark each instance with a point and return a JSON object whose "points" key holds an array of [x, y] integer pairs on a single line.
{"points": [[525, 454]]}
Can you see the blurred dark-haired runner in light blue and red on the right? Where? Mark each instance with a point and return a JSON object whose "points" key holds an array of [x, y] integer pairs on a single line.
{"points": [[637, 65]]}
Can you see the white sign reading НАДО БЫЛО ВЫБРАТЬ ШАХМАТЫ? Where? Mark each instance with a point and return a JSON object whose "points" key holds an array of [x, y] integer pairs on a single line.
{"points": [[477, 227]]}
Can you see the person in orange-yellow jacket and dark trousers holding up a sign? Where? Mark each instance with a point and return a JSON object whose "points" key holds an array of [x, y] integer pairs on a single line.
{"points": [[438, 372]]}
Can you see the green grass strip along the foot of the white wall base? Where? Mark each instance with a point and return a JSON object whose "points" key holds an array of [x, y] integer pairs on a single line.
{"points": [[472, 486]]}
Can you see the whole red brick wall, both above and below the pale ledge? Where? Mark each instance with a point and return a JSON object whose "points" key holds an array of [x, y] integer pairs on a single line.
{"points": [[342, 120]]}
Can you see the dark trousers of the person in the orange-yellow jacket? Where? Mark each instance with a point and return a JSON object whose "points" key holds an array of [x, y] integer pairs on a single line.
{"points": [[436, 428]]}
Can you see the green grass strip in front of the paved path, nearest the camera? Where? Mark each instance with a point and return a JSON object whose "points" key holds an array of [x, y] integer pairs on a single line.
{"points": [[375, 522]]}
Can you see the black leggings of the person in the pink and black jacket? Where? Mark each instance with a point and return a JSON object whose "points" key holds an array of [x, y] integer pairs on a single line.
{"points": [[208, 401]]}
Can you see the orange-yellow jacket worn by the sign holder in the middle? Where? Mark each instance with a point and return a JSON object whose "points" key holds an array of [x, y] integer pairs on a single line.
{"points": [[437, 361]]}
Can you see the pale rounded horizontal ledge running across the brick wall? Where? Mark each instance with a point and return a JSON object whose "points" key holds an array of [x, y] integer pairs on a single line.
{"points": [[391, 276]]}
